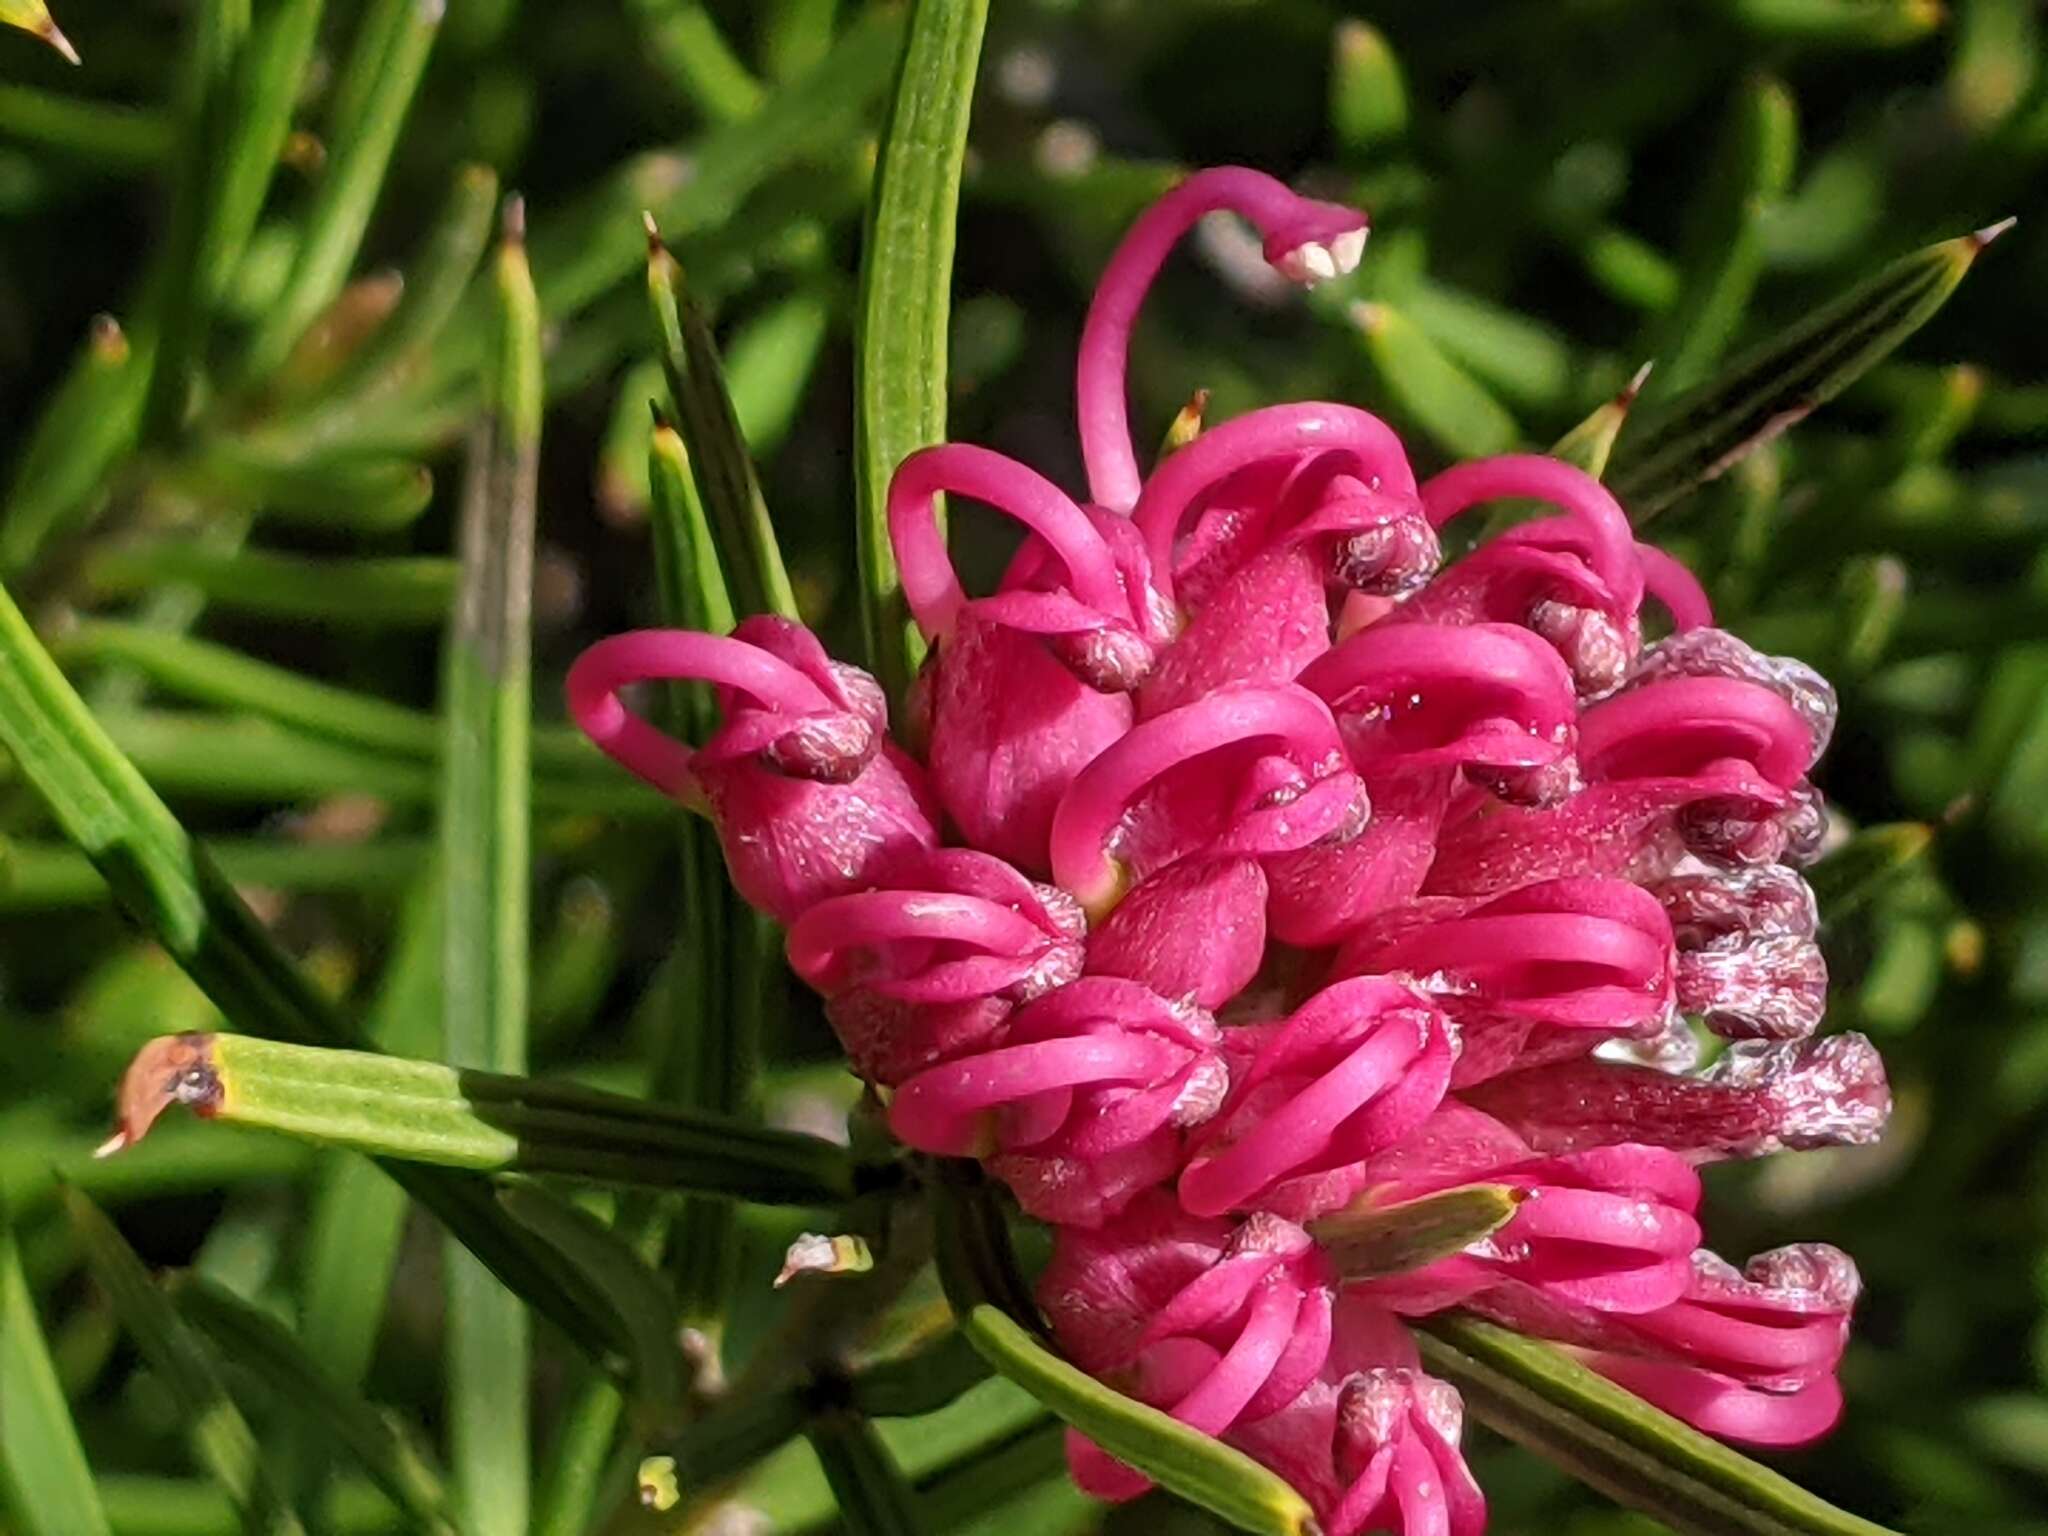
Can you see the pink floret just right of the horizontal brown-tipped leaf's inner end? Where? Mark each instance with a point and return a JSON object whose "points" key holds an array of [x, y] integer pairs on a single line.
{"points": [[1082, 1101]]}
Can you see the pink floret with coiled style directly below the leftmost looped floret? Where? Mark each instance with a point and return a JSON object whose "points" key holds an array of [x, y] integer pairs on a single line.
{"points": [[931, 966]]}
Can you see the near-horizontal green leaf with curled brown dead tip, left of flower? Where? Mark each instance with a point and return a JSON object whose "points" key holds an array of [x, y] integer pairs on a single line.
{"points": [[429, 1113]]}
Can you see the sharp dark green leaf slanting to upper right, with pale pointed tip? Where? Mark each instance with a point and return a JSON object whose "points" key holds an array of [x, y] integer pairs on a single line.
{"points": [[1779, 384]]}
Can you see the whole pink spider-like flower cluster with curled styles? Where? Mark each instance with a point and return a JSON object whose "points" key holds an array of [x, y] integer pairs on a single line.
{"points": [[1248, 869]]}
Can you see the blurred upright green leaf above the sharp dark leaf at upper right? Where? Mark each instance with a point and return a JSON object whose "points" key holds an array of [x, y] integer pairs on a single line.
{"points": [[1723, 251]]}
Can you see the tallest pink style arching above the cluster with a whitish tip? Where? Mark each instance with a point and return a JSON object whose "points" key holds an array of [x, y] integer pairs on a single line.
{"points": [[1306, 241]]}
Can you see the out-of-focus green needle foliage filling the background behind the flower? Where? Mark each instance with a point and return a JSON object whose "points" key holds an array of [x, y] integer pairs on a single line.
{"points": [[232, 511]]}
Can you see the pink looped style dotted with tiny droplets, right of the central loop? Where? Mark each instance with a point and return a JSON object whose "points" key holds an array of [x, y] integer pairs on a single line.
{"points": [[1418, 697]]}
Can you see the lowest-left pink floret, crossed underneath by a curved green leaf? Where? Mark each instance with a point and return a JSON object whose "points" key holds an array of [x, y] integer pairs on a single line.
{"points": [[1213, 1324]]}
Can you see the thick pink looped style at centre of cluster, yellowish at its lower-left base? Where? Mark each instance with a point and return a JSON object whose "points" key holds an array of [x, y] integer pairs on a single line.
{"points": [[1293, 792]]}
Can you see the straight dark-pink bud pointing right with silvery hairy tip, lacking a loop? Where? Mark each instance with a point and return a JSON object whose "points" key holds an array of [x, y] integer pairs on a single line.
{"points": [[1760, 1097]]}
